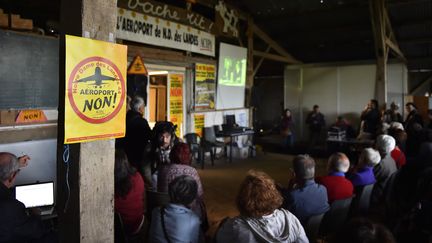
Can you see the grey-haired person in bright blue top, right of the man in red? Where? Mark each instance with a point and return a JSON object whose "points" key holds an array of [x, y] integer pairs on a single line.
{"points": [[362, 173]]}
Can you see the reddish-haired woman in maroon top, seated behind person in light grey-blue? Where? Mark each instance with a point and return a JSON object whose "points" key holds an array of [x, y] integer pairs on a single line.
{"points": [[181, 158]]}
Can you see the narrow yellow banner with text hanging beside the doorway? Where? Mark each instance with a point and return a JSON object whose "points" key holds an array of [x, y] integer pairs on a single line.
{"points": [[176, 101]]}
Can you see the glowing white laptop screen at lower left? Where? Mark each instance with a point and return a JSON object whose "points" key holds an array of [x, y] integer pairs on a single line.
{"points": [[35, 195]]}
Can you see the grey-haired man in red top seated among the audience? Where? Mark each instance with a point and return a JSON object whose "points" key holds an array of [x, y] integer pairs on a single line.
{"points": [[338, 187]]}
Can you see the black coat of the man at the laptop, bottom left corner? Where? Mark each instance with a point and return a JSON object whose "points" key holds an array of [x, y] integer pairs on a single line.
{"points": [[15, 224]]}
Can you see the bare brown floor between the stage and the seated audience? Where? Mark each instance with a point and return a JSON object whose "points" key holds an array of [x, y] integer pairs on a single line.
{"points": [[221, 182]]}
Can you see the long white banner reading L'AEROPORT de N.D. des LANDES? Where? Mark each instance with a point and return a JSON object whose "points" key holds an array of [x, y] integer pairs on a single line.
{"points": [[146, 29]]}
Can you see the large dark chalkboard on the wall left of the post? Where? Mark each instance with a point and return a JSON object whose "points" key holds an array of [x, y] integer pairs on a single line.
{"points": [[29, 71]]}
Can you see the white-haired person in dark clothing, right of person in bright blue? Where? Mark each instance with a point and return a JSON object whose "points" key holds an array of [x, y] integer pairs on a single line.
{"points": [[385, 168]]}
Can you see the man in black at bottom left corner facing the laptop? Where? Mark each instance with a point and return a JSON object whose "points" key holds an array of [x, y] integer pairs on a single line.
{"points": [[15, 224]]}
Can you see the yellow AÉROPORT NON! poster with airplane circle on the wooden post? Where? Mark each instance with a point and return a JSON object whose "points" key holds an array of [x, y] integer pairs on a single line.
{"points": [[95, 106]]}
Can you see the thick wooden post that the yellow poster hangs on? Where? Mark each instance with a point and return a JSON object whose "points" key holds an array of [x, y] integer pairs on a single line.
{"points": [[86, 210]]}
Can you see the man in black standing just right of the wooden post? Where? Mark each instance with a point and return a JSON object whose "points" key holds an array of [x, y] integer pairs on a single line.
{"points": [[138, 135]]}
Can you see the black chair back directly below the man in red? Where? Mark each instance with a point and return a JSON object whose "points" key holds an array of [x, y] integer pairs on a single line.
{"points": [[336, 216]]}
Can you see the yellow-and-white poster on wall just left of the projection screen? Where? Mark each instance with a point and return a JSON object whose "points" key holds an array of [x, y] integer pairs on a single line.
{"points": [[205, 86]]}
